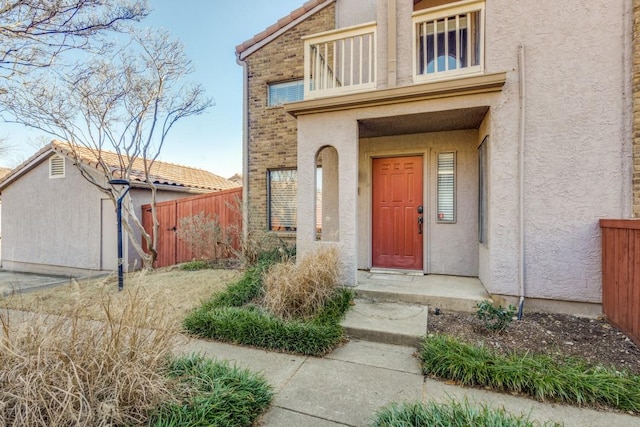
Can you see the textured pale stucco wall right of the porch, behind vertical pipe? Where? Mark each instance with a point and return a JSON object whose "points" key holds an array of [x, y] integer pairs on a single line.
{"points": [[575, 134]]}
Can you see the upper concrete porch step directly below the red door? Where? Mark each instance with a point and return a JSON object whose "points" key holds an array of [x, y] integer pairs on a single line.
{"points": [[447, 292]]}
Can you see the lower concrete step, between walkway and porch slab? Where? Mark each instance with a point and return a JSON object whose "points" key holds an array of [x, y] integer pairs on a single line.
{"points": [[385, 322]]}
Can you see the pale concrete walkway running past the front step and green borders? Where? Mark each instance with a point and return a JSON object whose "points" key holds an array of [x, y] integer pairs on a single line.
{"points": [[347, 387]]}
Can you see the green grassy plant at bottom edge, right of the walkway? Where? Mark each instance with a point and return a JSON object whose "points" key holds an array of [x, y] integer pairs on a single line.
{"points": [[451, 414]]}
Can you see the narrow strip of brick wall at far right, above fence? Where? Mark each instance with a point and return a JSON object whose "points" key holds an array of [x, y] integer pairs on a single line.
{"points": [[636, 108]]}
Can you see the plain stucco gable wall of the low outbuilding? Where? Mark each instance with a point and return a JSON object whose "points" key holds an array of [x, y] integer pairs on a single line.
{"points": [[51, 222]]}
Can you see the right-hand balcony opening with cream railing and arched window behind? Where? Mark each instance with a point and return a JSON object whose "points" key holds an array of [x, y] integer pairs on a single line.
{"points": [[449, 41]]}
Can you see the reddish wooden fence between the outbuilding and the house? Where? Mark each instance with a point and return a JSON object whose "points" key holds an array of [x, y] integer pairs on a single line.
{"points": [[223, 206]]}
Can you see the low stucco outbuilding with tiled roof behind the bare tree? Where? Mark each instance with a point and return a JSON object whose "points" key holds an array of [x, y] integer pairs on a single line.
{"points": [[55, 221]]}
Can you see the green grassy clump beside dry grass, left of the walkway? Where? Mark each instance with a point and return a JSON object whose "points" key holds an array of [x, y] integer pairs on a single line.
{"points": [[218, 395]]}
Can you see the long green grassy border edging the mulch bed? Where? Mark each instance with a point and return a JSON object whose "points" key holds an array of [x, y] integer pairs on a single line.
{"points": [[539, 376]]}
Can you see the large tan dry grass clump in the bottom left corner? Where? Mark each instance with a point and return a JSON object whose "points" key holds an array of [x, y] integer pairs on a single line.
{"points": [[57, 371]]}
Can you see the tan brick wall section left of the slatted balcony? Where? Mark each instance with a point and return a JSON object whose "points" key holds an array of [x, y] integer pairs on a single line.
{"points": [[272, 132]]}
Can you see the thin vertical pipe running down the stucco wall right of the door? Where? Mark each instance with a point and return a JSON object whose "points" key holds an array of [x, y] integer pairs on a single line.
{"points": [[523, 98]]}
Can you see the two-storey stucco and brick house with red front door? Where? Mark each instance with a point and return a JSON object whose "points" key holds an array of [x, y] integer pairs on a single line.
{"points": [[470, 138]]}
